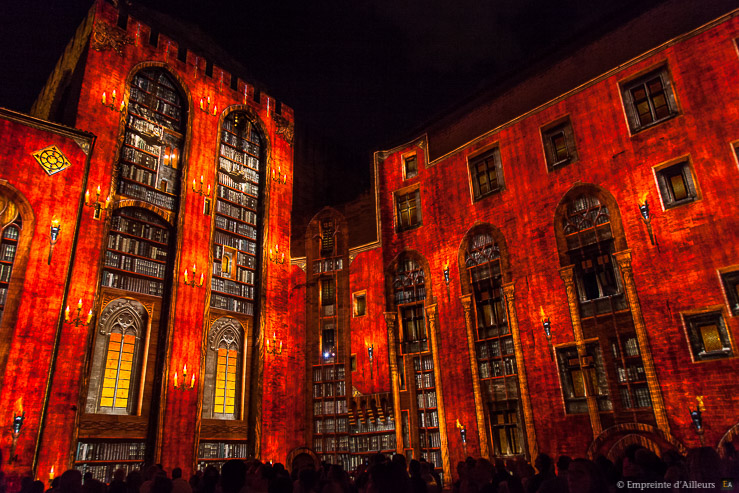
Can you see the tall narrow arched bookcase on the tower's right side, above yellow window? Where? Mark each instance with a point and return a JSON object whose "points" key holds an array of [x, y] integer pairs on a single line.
{"points": [[237, 216]]}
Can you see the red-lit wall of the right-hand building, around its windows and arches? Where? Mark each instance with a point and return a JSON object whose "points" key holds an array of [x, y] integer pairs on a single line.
{"points": [[694, 240]]}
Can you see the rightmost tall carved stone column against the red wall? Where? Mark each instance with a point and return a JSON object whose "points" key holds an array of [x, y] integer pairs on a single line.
{"points": [[623, 259]]}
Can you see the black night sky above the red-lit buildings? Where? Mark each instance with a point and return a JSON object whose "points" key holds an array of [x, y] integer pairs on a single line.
{"points": [[363, 72]]}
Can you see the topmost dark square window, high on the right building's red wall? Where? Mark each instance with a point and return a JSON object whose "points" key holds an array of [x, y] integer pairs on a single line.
{"points": [[649, 100]]}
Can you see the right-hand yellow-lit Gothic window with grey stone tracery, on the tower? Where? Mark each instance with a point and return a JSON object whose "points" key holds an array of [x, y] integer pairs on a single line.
{"points": [[223, 366]]}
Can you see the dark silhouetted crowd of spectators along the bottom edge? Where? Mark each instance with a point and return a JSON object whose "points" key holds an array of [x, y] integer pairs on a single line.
{"points": [[639, 469]]}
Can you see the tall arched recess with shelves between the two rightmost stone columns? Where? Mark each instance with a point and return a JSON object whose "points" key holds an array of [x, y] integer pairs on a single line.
{"points": [[589, 232]]}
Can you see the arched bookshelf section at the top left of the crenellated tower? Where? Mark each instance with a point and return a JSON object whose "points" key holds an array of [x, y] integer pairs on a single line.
{"points": [[149, 167]]}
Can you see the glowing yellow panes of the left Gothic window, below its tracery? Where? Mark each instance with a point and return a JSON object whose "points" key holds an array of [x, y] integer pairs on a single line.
{"points": [[118, 369]]}
